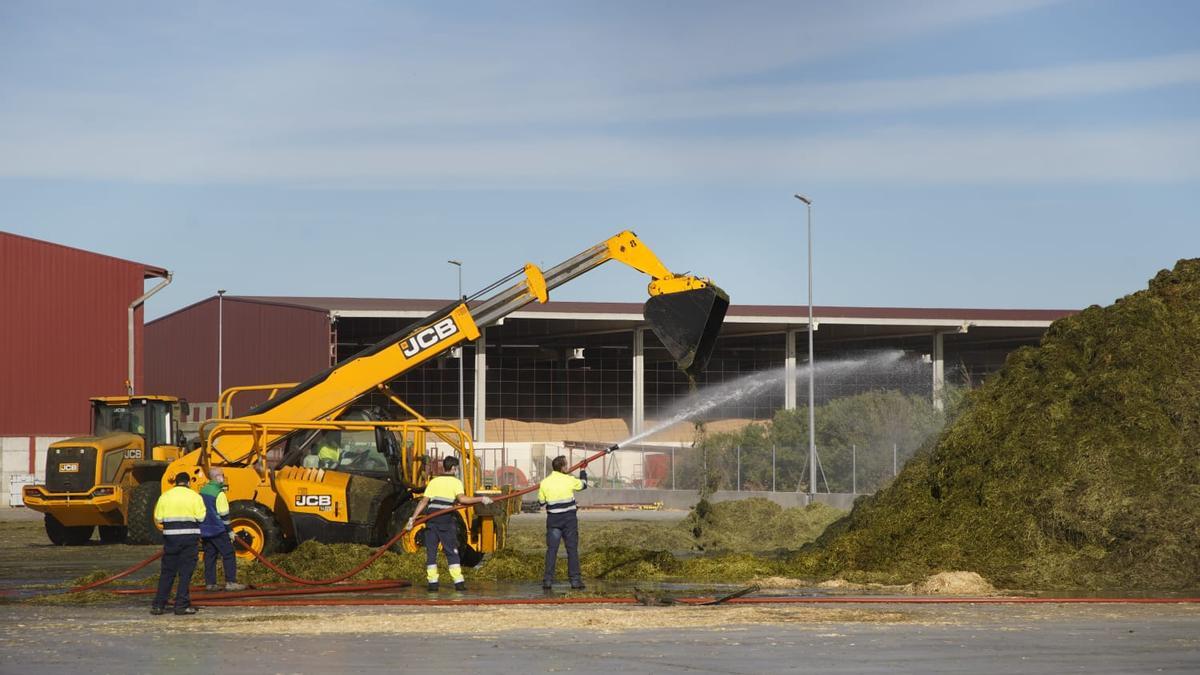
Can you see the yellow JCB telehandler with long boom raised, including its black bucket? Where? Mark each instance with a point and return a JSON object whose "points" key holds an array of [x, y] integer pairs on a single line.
{"points": [[299, 468]]}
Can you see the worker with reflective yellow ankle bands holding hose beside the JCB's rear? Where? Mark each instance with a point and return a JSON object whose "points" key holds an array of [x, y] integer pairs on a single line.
{"points": [[442, 494]]}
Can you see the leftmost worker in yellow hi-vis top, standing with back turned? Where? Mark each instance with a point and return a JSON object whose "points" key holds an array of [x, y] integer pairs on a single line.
{"points": [[179, 512]]}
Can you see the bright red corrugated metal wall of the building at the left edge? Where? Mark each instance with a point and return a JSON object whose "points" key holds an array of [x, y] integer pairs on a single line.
{"points": [[63, 334]]}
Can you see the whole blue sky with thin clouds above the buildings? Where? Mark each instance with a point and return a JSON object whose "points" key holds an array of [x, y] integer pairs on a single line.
{"points": [[993, 154]]}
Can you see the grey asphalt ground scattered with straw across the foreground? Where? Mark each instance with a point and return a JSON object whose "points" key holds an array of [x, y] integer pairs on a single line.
{"points": [[849, 638]]}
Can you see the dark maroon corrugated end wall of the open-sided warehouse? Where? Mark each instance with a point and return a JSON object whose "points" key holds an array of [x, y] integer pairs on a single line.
{"points": [[263, 344]]}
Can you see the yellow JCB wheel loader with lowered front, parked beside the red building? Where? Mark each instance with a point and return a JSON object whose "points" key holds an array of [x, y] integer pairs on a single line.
{"points": [[111, 481]]}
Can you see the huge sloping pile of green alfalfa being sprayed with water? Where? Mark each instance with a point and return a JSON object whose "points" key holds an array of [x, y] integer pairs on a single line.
{"points": [[1076, 467]]}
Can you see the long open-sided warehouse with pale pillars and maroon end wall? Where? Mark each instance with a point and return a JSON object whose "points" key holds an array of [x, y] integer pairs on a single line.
{"points": [[581, 374]]}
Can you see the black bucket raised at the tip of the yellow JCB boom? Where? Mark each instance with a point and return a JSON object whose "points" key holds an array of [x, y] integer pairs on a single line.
{"points": [[687, 324]]}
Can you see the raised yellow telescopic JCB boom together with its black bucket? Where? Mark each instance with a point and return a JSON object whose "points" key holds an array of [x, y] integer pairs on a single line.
{"points": [[685, 312]]}
